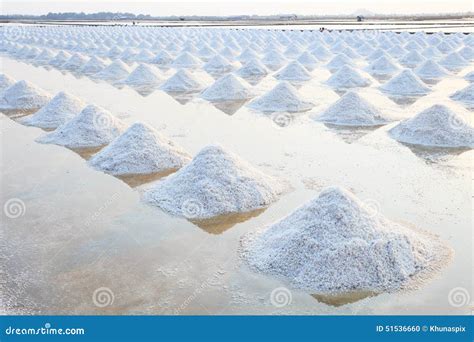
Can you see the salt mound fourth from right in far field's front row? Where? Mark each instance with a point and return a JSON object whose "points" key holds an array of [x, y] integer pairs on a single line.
{"points": [[227, 88]]}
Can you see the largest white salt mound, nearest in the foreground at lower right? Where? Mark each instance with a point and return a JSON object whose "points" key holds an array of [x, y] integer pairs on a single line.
{"points": [[335, 244]]}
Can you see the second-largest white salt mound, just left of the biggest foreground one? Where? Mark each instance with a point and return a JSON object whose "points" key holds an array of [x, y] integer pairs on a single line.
{"points": [[216, 182]]}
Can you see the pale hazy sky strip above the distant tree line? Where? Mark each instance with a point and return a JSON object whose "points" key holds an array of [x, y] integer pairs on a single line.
{"points": [[191, 7]]}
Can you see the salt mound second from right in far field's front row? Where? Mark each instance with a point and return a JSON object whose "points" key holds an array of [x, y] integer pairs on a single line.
{"points": [[353, 110]]}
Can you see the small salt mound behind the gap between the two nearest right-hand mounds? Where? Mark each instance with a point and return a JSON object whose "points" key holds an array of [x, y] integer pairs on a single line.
{"points": [[405, 83]]}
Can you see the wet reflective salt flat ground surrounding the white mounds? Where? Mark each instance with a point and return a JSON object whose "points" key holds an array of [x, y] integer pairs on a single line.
{"points": [[83, 230]]}
